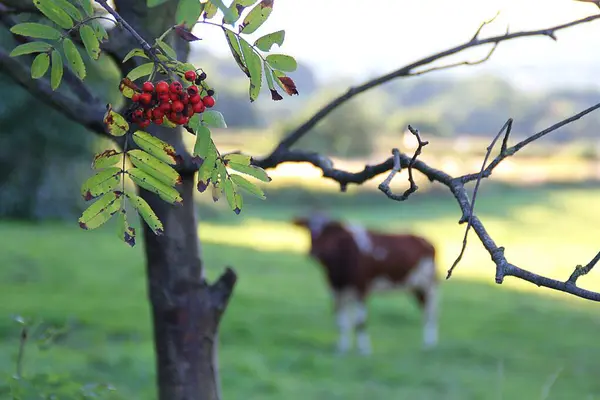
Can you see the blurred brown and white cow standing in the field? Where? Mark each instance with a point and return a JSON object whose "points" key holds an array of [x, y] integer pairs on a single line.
{"points": [[357, 262]]}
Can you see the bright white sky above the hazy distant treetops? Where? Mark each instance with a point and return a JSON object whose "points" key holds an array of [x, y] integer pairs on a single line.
{"points": [[358, 39]]}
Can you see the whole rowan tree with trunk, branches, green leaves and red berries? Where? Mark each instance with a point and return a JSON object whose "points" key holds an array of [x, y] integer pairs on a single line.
{"points": [[154, 174]]}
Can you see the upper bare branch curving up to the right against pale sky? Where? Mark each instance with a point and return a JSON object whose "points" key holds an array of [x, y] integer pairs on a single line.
{"points": [[407, 70]]}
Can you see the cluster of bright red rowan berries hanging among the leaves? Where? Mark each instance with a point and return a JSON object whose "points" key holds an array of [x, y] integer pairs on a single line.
{"points": [[171, 101]]}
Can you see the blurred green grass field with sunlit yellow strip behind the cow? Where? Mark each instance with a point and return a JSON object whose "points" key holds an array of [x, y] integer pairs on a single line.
{"points": [[514, 341]]}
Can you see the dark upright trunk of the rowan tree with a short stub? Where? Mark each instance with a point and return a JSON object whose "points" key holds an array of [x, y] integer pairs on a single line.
{"points": [[186, 310]]}
